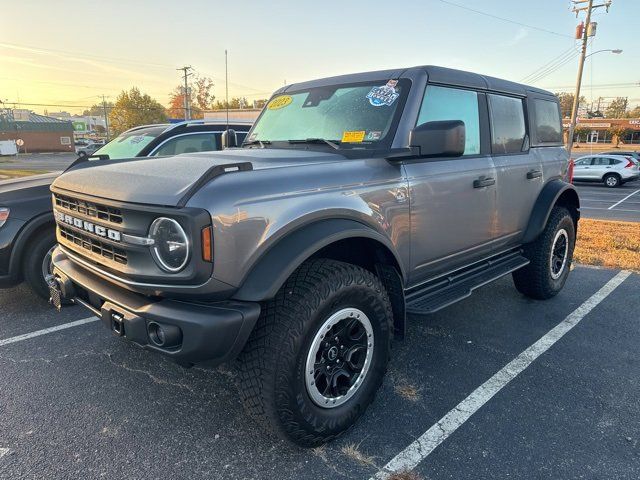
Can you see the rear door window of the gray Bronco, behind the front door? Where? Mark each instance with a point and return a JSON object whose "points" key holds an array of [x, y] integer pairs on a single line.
{"points": [[508, 129]]}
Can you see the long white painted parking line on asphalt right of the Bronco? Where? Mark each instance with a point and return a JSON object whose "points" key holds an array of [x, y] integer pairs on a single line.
{"points": [[417, 451]]}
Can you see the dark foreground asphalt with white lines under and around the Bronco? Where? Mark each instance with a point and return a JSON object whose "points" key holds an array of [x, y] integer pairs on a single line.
{"points": [[496, 386]]}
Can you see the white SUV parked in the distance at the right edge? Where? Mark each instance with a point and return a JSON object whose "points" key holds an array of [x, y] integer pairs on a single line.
{"points": [[612, 170]]}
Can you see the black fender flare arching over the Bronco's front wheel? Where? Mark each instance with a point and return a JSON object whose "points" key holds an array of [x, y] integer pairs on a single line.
{"points": [[275, 265]]}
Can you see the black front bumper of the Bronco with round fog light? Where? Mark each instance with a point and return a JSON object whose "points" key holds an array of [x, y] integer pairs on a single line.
{"points": [[195, 332]]}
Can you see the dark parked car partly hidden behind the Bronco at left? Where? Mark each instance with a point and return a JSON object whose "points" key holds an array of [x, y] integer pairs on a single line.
{"points": [[27, 227]]}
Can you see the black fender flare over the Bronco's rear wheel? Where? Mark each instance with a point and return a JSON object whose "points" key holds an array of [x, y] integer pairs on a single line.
{"points": [[554, 192]]}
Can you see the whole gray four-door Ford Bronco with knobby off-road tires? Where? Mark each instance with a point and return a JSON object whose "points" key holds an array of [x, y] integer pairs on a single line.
{"points": [[354, 201]]}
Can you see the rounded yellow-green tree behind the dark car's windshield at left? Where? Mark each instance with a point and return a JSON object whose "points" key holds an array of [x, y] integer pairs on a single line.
{"points": [[133, 108]]}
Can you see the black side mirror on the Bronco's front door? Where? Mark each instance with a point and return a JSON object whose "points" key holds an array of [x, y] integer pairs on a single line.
{"points": [[439, 139]]}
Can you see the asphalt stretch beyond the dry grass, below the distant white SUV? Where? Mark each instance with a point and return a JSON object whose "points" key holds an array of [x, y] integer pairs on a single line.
{"points": [[598, 201]]}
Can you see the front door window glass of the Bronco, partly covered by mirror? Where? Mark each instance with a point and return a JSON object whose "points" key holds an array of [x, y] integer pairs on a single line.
{"points": [[443, 103]]}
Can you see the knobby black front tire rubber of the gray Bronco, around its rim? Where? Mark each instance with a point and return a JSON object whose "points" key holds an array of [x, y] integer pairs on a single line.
{"points": [[272, 364]]}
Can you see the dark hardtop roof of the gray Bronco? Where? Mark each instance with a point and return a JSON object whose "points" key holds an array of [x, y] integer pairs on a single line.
{"points": [[448, 76]]}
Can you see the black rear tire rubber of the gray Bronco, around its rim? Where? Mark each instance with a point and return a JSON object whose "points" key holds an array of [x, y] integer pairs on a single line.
{"points": [[536, 280]]}
